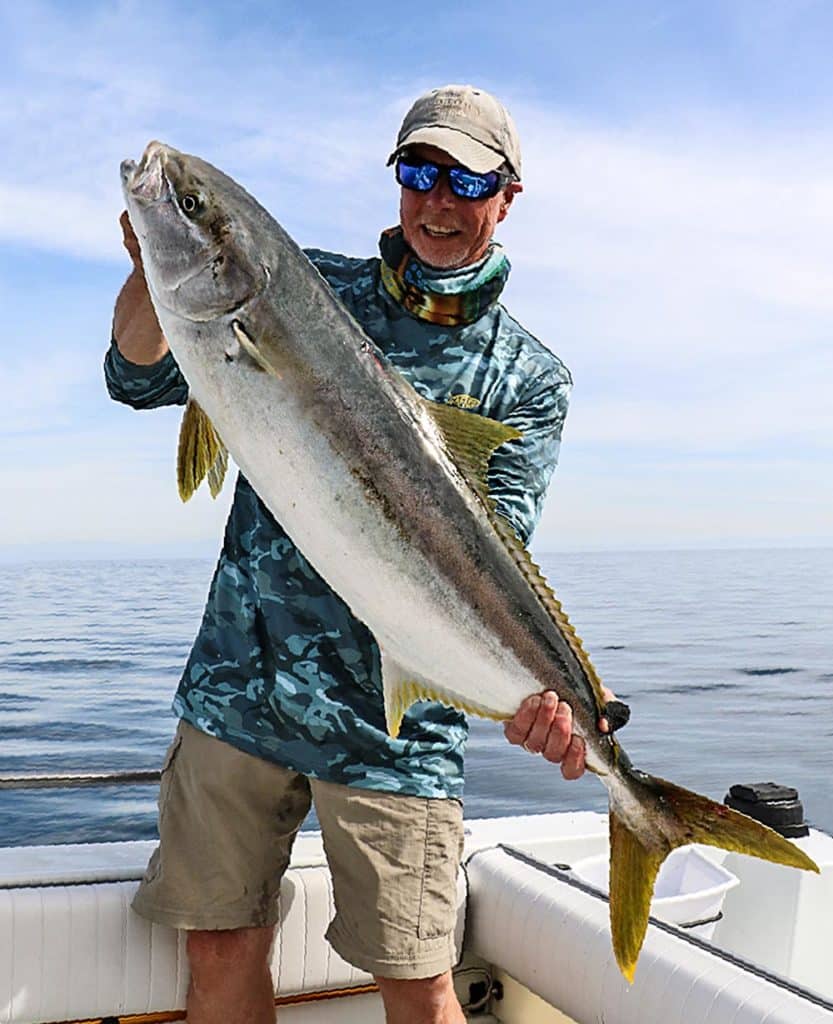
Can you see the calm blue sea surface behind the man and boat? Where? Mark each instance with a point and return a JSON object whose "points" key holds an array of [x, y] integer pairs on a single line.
{"points": [[726, 658]]}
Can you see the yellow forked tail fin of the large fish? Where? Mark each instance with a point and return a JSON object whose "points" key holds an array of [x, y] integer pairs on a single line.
{"points": [[669, 818]]}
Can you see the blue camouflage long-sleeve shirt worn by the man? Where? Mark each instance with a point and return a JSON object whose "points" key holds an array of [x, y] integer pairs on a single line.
{"points": [[281, 668]]}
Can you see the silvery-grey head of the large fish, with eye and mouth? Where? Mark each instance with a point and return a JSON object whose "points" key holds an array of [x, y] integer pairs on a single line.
{"points": [[195, 233]]}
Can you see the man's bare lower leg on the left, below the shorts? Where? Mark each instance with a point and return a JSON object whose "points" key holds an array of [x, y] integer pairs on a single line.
{"points": [[230, 977]]}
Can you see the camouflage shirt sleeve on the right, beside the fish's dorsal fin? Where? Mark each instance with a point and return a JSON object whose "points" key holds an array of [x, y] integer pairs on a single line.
{"points": [[521, 471]]}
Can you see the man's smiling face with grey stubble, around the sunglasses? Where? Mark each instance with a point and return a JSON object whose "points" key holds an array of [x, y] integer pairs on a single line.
{"points": [[446, 231]]}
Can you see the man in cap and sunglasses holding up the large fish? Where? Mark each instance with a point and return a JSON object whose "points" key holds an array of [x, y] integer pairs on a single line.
{"points": [[281, 699]]}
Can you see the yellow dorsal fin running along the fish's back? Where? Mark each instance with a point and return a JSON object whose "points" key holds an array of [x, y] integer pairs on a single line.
{"points": [[472, 441]]}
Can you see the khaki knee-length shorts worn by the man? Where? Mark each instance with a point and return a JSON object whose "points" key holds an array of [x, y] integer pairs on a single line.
{"points": [[228, 822]]}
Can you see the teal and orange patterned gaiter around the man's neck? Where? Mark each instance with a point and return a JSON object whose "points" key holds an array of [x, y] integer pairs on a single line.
{"points": [[448, 297]]}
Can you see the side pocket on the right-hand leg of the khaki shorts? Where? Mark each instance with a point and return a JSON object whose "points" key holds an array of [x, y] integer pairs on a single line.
{"points": [[444, 849]]}
